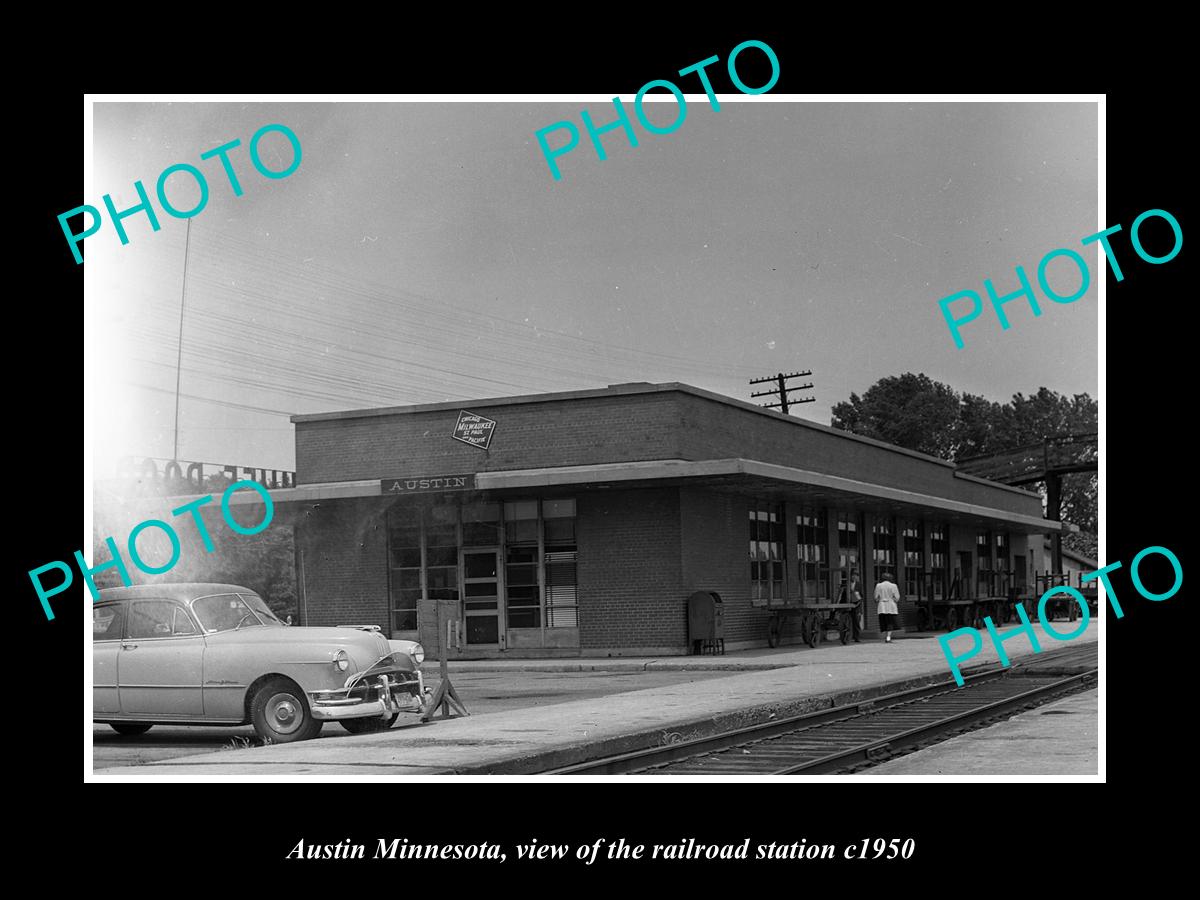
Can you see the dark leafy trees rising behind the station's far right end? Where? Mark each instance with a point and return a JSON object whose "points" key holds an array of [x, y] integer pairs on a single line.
{"points": [[916, 412]]}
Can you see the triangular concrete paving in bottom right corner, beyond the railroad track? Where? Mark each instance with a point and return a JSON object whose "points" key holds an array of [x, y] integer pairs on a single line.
{"points": [[1057, 740]]}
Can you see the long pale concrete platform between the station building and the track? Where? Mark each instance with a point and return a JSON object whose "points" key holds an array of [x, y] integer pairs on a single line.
{"points": [[535, 740]]}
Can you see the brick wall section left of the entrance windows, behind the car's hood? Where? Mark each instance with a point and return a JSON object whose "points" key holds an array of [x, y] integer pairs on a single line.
{"points": [[345, 565]]}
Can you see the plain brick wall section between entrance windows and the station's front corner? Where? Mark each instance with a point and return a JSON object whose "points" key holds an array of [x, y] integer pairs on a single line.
{"points": [[629, 571]]}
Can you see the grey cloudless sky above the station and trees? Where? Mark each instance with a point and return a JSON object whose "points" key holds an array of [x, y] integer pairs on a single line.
{"points": [[423, 253]]}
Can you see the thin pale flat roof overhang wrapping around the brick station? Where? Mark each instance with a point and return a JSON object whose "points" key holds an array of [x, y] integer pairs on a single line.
{"points": [[734, 475]]}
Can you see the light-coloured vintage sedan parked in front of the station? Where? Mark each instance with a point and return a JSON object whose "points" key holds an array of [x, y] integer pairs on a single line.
{"points": [[215, 655]]}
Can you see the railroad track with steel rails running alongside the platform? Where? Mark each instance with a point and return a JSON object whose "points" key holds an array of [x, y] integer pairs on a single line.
{"points": [[861, 735]]}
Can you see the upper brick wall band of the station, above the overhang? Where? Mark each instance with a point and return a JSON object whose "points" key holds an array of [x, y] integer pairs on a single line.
{"points": [[619, 428]]}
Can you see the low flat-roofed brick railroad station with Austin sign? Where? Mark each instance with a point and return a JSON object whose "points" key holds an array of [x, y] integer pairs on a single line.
{"points": [[579, 524]]}
